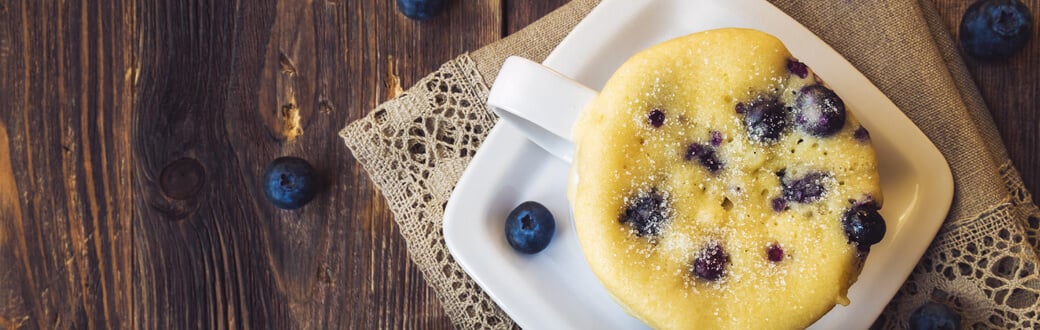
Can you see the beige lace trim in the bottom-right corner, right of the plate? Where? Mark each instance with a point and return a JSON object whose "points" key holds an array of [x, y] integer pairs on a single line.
{"points": [[985, 269]]}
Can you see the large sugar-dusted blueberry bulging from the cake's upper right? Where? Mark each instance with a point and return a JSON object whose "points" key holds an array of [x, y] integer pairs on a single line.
{"points": [[819, 112]]}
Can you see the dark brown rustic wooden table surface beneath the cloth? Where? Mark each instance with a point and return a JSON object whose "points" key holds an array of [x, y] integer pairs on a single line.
{"points": [[133, 136]]}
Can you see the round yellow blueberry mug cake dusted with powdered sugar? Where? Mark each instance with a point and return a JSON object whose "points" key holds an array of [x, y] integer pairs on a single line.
{"points": [[719, 184]]}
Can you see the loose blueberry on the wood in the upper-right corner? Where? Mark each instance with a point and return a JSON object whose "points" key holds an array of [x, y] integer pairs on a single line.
{"points": [[995, 30]]}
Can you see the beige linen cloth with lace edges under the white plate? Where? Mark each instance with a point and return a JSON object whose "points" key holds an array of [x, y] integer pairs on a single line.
{"points": [[984, 262]]}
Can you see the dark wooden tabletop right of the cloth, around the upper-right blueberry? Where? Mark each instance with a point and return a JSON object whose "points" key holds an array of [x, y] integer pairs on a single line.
{"points": [[1012, 91]]}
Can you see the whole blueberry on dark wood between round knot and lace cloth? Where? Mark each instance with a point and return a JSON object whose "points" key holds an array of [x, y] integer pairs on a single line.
{"points": [[290, 183]]}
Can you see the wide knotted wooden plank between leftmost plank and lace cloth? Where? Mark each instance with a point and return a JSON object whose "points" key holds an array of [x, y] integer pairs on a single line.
{"points": [[217, 82]]}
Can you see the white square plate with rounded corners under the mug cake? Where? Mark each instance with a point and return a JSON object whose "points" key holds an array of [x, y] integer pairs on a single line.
{"points": [[556, 289]]}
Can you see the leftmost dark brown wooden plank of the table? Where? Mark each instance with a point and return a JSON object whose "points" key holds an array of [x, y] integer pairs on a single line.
{"points": [[65, 176]]}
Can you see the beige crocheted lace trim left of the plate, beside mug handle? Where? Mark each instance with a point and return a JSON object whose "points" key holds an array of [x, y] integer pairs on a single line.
{"points": [[415, 148]]}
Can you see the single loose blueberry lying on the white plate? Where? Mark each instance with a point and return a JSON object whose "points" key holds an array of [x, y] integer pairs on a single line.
{"points": [[530, 227]]}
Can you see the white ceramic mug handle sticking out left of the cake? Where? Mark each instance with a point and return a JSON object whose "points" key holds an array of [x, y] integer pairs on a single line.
{"points": [[541, 103]]}
